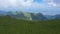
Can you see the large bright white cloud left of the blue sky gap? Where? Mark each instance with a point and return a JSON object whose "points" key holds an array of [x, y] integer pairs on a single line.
{"points": [[15, 3]]}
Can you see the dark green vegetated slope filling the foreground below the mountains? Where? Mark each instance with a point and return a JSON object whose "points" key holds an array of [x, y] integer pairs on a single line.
{"points": [[10, 25]]}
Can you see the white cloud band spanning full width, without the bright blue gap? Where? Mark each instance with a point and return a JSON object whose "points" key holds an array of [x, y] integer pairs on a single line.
{"points": [[28, 3]]}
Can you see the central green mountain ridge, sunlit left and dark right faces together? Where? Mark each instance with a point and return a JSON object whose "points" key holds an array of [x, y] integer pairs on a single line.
{"points": [[27, 15]]}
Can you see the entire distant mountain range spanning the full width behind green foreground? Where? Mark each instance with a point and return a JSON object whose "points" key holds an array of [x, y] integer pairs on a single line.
{"points": [[29, 16]]}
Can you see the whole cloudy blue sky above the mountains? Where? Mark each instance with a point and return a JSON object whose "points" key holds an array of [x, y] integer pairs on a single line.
{"points": [[49, 7]]}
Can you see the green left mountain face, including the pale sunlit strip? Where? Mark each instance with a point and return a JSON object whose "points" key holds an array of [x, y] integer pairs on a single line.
{"points": [[20, 15]]}
